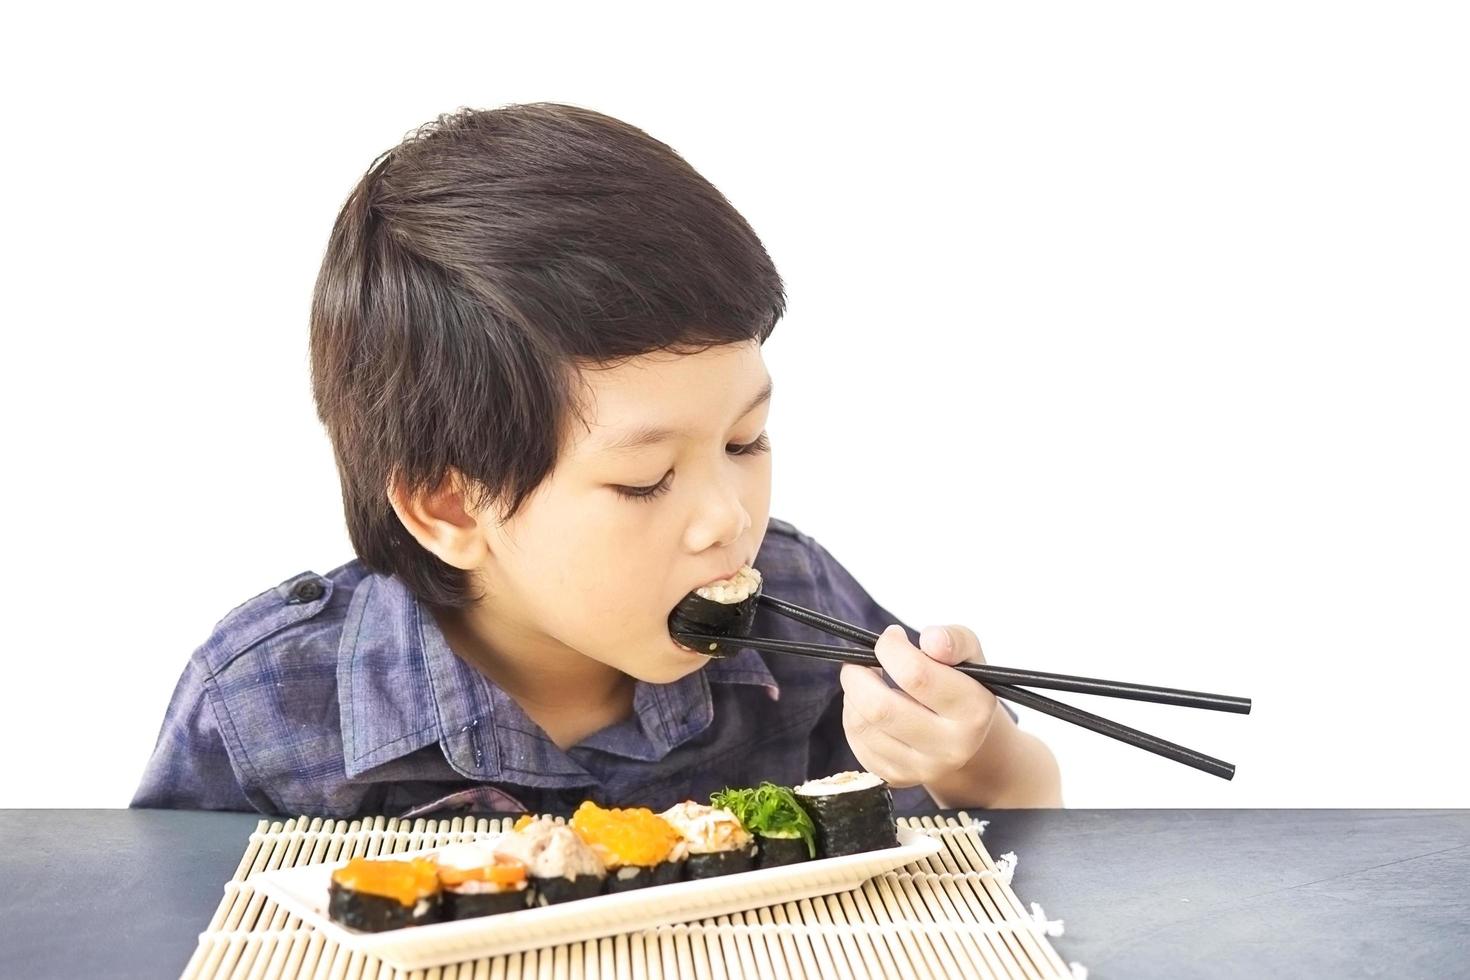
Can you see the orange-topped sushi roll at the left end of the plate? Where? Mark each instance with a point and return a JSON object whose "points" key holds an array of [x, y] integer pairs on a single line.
{"points": [[379, 896]]}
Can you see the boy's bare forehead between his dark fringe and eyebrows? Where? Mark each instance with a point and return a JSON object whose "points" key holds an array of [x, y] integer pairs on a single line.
{"points": [[690, 394]]}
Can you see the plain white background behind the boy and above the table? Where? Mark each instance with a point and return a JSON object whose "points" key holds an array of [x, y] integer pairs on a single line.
{"points": [[1131, 336]]}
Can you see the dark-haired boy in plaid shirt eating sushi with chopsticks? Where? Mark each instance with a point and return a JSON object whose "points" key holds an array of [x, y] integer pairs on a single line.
{"points": [[536, 347]]}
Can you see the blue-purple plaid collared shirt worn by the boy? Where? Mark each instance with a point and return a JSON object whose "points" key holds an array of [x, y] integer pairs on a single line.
{"points": [[339, 696]]}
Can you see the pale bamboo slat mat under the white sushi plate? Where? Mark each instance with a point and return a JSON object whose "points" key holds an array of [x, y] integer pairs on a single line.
{"points": [[949, 916]]}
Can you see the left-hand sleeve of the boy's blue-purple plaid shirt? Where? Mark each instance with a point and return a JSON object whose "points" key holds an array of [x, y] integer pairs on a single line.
{"points": [[190, 768]]}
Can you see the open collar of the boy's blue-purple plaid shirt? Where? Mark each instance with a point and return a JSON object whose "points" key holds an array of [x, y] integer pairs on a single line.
{"points": [[402, 688]]}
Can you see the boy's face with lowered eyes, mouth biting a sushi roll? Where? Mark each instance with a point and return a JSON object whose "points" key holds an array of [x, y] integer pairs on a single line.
{"points": [[587, 566]]}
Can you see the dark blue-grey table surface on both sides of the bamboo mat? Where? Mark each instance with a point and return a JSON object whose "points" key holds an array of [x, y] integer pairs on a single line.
{"points": [[1143, 893]]}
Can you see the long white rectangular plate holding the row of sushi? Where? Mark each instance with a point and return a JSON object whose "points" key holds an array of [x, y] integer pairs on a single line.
{"points": [[304, 891]]}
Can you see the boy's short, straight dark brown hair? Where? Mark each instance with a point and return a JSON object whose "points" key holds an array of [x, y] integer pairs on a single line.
{"points": [[474, 270]]}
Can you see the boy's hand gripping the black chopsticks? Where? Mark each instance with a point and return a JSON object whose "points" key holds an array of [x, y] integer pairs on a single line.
{"points": [[934, 724]]}
